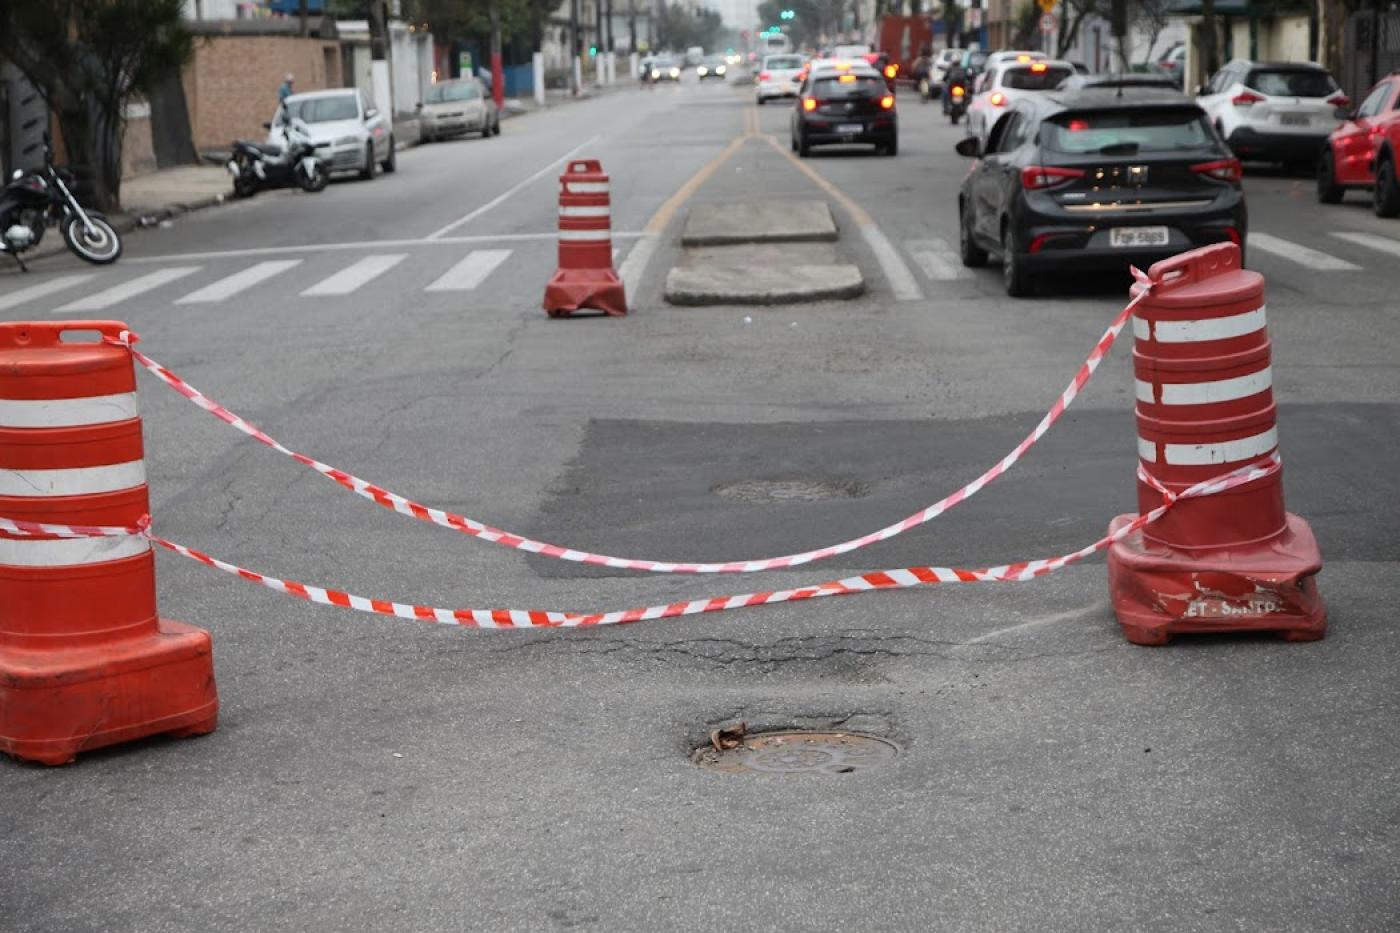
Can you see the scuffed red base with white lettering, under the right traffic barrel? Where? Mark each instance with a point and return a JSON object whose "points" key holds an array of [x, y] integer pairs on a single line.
{"points": [[1268, 586]]}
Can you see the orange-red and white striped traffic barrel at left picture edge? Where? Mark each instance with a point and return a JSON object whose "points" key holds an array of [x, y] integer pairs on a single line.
{"points": [[85, 659]]}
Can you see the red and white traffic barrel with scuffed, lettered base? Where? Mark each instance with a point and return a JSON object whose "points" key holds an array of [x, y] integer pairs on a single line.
{"points": [[1231, 562]]}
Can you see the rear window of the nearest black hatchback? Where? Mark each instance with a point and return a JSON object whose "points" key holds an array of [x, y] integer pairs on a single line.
{"points": [[1126, 132]]}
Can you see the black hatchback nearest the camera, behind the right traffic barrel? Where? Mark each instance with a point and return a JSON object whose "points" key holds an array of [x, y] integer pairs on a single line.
{"points": [[1095, 180]]}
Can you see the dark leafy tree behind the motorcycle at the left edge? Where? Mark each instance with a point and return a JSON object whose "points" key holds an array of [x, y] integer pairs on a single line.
{"points": [[87, 60]]}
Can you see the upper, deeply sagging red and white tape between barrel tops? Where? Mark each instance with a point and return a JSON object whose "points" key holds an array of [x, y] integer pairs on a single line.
{"points": [[481, 530]]}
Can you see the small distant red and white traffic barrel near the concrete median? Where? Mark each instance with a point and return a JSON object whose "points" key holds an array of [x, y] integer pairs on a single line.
{"points": [[586, 277]]}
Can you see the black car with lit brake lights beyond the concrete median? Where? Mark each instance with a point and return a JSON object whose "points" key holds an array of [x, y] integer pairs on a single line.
{"points": [[849, 103]]}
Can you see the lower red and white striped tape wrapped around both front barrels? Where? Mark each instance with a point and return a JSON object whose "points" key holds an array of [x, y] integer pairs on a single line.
{"points": [[849, 586]]}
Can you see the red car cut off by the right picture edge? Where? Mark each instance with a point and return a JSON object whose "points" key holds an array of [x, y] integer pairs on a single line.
{"points": [[1366, 151]]}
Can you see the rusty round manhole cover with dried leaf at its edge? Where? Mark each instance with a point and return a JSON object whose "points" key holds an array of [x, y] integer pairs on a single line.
{"points": [[800, 753]]}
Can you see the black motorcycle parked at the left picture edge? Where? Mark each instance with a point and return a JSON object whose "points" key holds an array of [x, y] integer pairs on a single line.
{"points": [[36, 200]]}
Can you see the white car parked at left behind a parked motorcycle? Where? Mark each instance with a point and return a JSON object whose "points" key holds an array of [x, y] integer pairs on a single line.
{"points": [[349, 132]]}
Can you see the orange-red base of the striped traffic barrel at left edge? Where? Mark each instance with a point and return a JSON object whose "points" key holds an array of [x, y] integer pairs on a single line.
{"points": [[59, 703]]}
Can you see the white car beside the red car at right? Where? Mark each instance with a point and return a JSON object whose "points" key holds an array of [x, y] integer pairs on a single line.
{"points": [[1273, 113]]}
